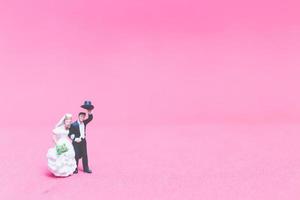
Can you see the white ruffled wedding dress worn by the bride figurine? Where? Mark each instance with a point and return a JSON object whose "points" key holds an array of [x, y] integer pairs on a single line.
{"points": [[65, 163]]}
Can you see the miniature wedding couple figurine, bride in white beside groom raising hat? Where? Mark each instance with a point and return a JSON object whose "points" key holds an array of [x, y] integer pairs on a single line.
{"points": [[64, 156]]}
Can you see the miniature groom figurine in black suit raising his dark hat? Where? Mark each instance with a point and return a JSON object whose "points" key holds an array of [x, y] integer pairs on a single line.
{"points": [[77, 133]]}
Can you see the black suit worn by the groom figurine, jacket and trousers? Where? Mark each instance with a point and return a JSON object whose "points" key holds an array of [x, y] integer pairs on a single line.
{"points": [[80, 147]]}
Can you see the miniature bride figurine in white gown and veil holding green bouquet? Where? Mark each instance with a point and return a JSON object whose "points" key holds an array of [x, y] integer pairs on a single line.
{"points": [[61, 158]]}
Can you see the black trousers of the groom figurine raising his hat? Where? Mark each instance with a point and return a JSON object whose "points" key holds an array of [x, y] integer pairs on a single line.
{"points": [[81, 152]]}
